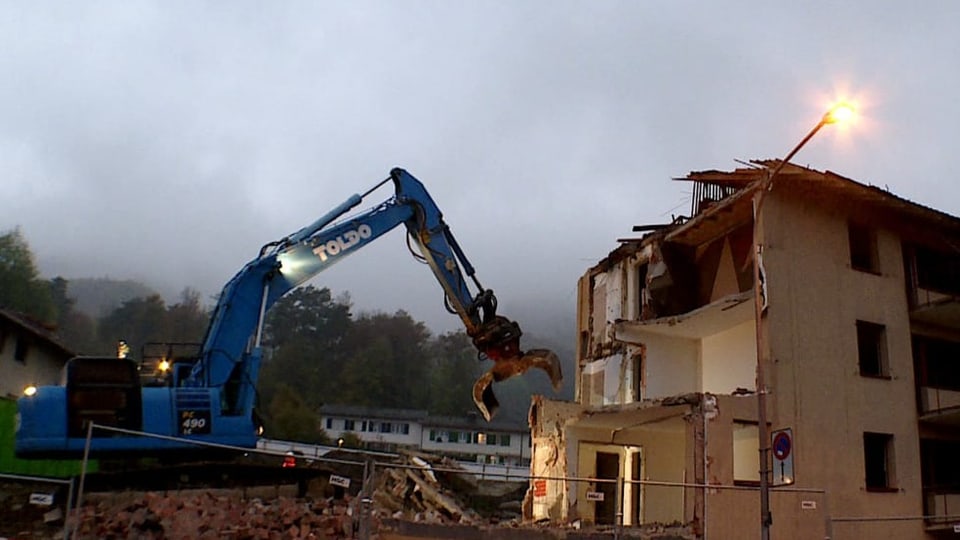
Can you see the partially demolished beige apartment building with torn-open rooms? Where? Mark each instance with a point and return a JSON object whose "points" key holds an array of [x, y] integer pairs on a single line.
{"points": [[861, 349]]}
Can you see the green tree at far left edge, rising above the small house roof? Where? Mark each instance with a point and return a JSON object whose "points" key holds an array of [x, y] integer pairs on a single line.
{"points": [[21, 288]]}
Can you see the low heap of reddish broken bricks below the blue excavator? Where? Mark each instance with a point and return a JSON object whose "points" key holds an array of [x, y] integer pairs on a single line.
{"points": [[211, 514]]}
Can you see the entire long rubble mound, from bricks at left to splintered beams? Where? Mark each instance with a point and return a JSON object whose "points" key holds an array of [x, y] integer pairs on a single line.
{"points": [[416, 489]]}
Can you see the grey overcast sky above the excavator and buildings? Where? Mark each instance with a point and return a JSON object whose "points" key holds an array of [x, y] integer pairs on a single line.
{"points": [[167, 141]]}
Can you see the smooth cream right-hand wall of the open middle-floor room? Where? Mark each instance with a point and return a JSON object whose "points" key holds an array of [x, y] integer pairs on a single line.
{"points": [[729, 360]]}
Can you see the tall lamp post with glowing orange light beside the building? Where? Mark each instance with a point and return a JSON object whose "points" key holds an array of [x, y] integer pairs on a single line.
{"points": [[836, 114]]}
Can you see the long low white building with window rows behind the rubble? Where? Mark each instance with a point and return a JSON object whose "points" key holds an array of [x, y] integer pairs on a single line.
{"points": [[466, 438]]}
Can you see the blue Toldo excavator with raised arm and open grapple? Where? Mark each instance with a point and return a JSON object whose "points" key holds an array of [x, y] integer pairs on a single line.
{"points": [[209, 396]]}
